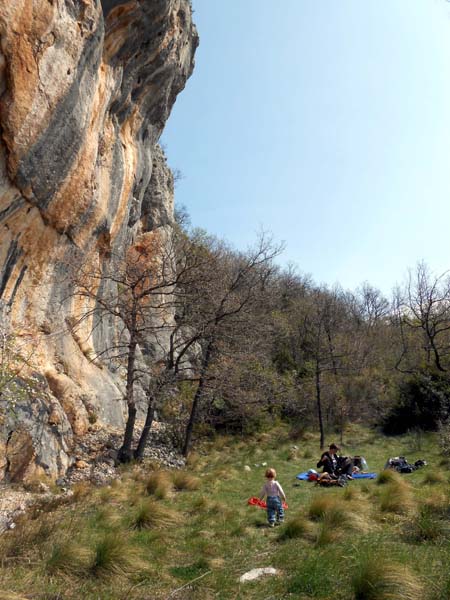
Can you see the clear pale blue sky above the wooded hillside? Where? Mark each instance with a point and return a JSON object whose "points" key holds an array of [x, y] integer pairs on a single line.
{"points": [[326, 122]]}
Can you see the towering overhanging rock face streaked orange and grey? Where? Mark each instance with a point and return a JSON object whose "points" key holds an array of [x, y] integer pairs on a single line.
{"points": [[85, 90]]}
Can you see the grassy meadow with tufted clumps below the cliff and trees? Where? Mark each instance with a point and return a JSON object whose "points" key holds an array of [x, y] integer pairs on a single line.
{"points": [[190, 534]]}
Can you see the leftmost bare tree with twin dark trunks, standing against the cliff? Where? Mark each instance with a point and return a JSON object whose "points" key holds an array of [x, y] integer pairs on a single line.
{"points": [[141, 290]]}
